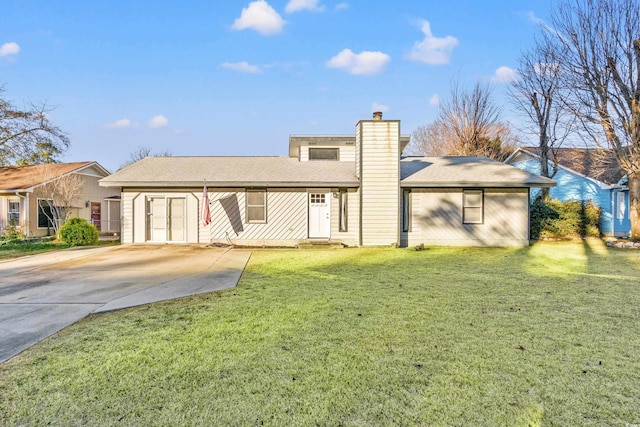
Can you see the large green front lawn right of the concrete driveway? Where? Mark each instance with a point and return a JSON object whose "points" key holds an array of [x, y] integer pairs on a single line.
{"points": [[546, 335]]}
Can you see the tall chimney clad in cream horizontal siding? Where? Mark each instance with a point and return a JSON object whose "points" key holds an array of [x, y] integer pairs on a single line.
{"points": [[380, 181]]}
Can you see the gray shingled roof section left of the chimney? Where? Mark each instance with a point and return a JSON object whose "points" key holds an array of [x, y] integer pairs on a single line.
{"points": [[233, 172]]}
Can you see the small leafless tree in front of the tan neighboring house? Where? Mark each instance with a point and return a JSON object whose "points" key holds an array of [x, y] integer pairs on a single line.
{"points": [[58, 197]]}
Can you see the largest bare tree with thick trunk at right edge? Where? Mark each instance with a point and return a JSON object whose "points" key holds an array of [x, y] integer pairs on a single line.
{"points": [[600, 45]]}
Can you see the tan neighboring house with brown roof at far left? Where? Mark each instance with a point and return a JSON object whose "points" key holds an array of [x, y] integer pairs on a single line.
{"points": [[21, 206]]}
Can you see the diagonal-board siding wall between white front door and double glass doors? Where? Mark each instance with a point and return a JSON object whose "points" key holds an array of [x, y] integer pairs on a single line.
{"points": [[286, 218]]}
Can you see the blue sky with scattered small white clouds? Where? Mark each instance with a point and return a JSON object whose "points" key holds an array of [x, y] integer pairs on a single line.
{"points": [[238, 77]]}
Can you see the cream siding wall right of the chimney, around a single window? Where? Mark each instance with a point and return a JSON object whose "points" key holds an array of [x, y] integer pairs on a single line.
{"points": [[437, 218]]}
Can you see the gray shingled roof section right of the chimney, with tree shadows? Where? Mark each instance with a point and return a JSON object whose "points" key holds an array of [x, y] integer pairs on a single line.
{"points": [[465, 172]]}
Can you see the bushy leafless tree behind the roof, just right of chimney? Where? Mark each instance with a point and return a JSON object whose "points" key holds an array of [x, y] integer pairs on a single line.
{"points": [[468, 125]]}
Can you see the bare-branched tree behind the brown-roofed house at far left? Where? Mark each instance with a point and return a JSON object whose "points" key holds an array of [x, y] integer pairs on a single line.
{"points": [[27, 136]]}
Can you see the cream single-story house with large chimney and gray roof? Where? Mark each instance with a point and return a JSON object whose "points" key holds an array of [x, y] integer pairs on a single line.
{"points": [[351, 189]]}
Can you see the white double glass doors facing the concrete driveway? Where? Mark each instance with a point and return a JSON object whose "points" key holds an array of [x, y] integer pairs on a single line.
{"points": [[166, 219]]}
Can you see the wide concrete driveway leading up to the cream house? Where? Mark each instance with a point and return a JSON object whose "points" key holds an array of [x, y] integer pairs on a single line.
{"points": [[42, 294]]}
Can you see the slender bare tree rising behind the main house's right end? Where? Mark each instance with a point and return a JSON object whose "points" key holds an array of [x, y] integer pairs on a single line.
{"points": [[537, 95]]}
